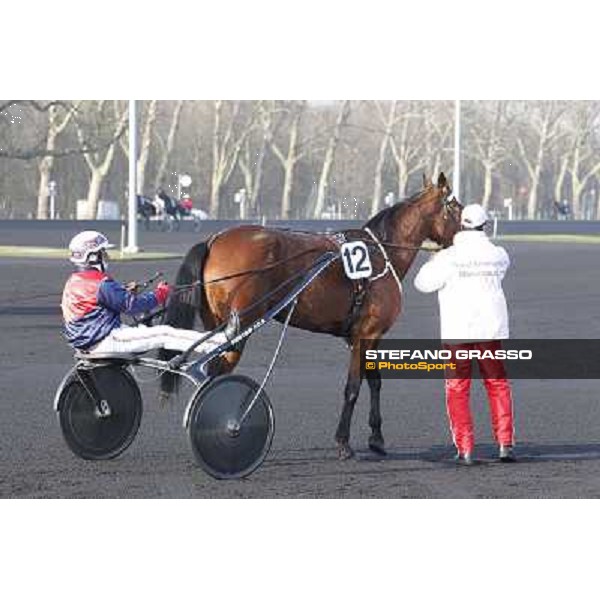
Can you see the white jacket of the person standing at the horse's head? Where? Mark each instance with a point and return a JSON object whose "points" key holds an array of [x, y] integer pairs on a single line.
{"points": [[468, 278]]}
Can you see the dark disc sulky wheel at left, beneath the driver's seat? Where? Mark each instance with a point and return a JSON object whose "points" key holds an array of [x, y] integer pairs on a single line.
{"points": [[100, 410]]}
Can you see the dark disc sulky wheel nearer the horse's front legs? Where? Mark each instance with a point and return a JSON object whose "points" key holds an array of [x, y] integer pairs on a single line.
{"points": [[225, 446]]}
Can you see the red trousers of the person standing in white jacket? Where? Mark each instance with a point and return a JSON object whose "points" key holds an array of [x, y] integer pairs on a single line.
{"points": [[458, 390]]}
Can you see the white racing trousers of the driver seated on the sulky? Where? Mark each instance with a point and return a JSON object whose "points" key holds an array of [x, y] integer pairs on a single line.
{"points": [[127, 340]]}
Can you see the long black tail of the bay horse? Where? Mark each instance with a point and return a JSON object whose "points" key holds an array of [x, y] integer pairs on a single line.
{"points": [[184, 305]]}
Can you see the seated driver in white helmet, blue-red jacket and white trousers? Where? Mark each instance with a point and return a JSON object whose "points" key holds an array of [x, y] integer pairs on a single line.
{"points": [[92, 303]]}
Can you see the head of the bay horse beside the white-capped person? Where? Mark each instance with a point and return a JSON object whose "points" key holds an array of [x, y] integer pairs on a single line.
{"points": [[444, 219]]}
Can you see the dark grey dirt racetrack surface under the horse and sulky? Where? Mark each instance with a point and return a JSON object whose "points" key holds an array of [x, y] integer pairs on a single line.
{"points": [[553, 291]]}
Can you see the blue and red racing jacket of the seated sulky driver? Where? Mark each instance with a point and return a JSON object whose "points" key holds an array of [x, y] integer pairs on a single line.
{"points": [[92, 303]]}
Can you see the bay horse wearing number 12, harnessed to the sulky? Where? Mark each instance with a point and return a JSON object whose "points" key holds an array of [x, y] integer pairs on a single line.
{"points": [[259, 259]]}
